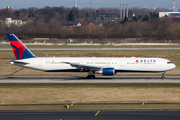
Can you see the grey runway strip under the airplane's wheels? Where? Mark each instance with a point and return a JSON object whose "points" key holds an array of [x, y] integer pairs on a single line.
{"points": [[84, 80]]}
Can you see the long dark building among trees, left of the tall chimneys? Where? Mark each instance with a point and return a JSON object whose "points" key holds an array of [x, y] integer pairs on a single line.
{"points": [[100, 16]]}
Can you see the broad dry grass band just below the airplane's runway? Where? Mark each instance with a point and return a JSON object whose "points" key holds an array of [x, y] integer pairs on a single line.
{"points": [[88, 93]]}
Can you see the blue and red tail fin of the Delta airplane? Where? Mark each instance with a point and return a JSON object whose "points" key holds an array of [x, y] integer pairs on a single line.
{"points": [[19, 49]]}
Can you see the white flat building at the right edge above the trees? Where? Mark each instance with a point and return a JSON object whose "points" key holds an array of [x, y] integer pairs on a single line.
{"points": [[169, 14]]}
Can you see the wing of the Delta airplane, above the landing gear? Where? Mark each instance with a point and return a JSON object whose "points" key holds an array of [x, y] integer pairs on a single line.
{"points": [[84, 67]]}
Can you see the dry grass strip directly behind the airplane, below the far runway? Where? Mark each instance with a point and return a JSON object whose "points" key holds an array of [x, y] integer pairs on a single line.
{"points": [[7, 55]]}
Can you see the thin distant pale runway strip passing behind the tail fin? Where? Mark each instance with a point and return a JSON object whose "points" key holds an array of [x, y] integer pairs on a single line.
{"points": [[164, 48]]}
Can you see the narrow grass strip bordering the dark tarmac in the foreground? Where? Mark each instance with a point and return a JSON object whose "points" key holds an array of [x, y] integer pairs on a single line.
{"points": [[91, 107]]}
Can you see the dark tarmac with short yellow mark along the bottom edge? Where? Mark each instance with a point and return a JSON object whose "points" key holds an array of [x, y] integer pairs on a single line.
{"points": [[90, 115]]}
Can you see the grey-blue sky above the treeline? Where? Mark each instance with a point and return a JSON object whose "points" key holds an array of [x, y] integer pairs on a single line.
{"points": [[17, 4]]}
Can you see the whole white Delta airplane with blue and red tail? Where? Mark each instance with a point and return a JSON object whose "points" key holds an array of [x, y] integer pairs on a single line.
{"points": [[107, 66]]}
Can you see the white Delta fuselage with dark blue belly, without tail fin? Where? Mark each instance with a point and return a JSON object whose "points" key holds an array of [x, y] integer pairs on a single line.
{"points": [[132, 64]]}
